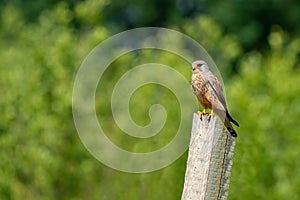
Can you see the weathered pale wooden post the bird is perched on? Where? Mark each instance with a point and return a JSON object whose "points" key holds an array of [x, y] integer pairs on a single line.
{"points": [[209, 161]]}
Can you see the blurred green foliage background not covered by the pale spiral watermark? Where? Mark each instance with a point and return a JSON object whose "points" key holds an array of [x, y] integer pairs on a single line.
{"points": [[256, 46]]}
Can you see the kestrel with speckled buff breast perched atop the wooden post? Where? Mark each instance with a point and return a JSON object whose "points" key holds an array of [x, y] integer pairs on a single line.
{"points": [[210, 94]]}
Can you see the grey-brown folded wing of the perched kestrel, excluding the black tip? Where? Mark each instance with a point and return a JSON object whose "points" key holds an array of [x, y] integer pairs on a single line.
{"points": [[214, 83]]}
